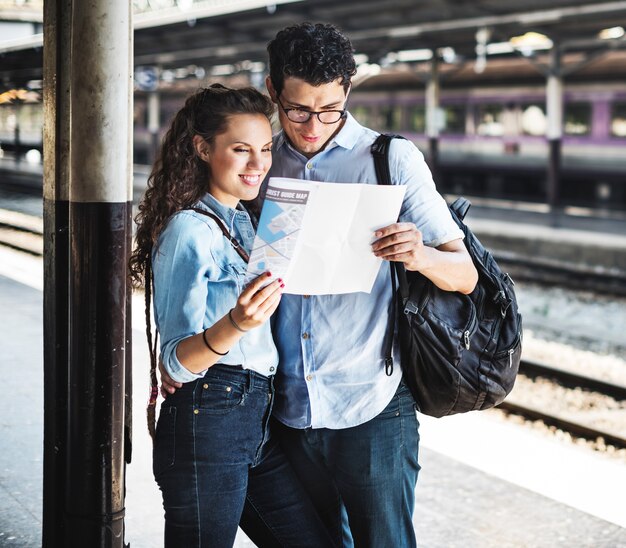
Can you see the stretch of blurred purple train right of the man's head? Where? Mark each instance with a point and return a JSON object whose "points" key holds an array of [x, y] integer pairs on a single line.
{"points": [[492, 139]]}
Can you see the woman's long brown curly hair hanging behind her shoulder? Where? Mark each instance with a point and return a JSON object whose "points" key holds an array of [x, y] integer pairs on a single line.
{"points": [[179, 179]]}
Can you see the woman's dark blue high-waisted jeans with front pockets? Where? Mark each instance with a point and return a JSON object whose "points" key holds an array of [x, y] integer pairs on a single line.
{"points": [[213, 454]]}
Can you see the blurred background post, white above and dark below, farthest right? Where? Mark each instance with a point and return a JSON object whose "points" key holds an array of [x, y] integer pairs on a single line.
{"points": [[554, 132]]}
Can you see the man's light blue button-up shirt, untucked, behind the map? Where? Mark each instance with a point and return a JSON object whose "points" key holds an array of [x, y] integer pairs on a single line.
{"points": [[332, 372]]}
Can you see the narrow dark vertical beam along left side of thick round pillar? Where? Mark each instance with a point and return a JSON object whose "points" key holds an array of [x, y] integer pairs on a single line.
{"points": [[56, 132]]}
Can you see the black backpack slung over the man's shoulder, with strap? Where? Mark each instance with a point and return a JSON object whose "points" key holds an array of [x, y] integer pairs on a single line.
{"points": [[459, 352]]}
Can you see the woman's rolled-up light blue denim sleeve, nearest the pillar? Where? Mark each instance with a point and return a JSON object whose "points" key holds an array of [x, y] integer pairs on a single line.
{"points": [[180, 266]]}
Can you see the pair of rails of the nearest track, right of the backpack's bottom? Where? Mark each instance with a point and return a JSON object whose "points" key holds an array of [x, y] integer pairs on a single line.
{"points": [[556, 418]]}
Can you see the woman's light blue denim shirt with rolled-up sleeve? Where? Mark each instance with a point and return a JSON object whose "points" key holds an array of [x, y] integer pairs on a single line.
{"points": [[198, 277]]}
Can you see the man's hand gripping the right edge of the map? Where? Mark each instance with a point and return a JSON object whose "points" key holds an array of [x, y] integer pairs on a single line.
{"points": [[402, 242]]}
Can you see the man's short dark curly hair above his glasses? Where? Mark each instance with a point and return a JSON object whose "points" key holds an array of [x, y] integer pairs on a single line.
{"points": [[317, 53]]}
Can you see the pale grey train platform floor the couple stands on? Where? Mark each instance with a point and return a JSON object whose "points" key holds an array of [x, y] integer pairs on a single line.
{"points": [[485, 482]]}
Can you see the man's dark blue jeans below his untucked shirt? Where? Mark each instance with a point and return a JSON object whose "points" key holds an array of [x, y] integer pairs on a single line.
{"points": [[367, 472]]}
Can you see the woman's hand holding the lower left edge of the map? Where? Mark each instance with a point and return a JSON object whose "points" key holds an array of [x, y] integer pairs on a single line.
{"points": [[257, 303]]}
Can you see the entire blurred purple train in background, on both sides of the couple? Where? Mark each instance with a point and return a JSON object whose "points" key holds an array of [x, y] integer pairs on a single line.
{"points": [[491, 135]]}
